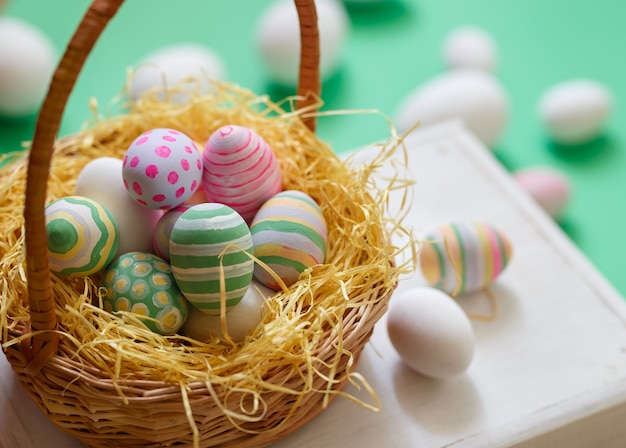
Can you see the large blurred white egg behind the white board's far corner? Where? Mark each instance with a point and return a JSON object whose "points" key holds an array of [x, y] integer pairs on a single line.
{"points": [[474, 96]]}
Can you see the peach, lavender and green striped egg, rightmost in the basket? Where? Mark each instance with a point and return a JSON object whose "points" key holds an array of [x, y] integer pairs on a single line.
{"points": [[290, 235]]}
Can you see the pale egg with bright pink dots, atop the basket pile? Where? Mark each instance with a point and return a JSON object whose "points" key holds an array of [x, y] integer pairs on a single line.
{"points": [[162, 168]]}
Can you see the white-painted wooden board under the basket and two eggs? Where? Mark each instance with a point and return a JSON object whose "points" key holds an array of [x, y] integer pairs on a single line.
{"points": [[549, 371]]}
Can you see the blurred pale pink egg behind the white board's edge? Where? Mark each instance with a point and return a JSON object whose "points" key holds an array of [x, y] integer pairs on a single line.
{"points": [[549, 187]]}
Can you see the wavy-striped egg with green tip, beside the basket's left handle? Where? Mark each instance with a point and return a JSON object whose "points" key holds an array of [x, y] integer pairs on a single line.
{"points": [[82, 236]]}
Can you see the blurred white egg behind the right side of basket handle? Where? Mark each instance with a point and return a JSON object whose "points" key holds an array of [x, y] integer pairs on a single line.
{"points": [[278, 39]]}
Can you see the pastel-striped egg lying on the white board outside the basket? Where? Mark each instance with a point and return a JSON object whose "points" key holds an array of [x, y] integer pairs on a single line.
{"points": [[464, 256]]}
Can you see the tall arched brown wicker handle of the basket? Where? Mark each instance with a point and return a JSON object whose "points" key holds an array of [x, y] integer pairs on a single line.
{"points": [[44, 344]]}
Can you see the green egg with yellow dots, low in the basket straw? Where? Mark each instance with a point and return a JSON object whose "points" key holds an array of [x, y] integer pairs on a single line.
{"points": [[143, 284]]}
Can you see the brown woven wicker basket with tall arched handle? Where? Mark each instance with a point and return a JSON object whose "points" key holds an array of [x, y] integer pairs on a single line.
{"points": [[103, 407]]}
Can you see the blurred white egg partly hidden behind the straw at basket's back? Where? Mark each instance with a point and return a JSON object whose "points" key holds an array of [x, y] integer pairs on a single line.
{"points": [[170, 66]]}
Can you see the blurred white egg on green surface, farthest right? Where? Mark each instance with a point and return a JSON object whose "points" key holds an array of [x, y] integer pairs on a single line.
{"points": [[575, 111]]}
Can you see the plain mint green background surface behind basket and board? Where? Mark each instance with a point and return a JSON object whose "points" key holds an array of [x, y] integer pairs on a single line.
{"points": [[393, 47]]}
